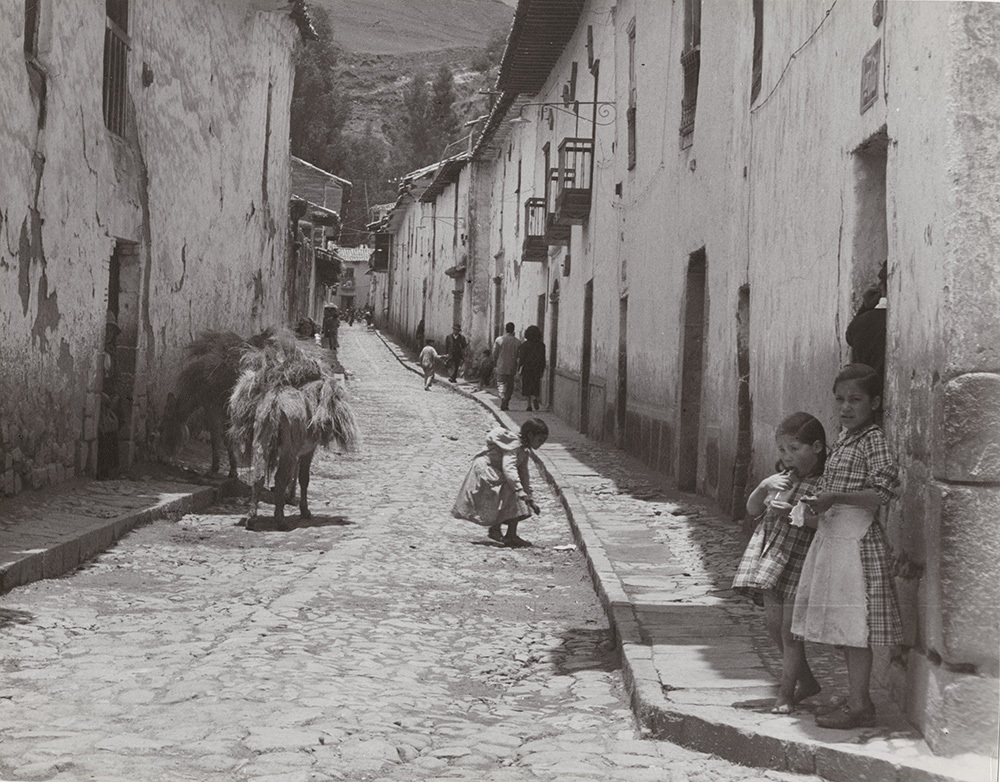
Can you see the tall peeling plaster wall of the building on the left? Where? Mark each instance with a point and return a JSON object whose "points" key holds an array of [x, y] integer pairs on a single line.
{"points": [[185, 184]]}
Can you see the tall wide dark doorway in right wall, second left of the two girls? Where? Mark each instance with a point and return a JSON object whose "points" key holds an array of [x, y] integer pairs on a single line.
{"points": [[691, 374]]}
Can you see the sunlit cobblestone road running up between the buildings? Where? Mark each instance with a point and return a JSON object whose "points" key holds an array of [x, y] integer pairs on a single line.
{"points": [[383, 640]]}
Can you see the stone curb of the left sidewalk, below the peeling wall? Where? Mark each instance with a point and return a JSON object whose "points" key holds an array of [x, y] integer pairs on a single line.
{"points": [[67, 554]]}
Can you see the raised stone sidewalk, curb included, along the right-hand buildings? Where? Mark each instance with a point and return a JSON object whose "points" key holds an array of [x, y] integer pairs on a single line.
{"points": [[697, 665]]}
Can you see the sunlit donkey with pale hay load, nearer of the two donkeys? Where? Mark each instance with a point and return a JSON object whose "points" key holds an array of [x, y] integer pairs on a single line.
{"points": [[285, 403]]}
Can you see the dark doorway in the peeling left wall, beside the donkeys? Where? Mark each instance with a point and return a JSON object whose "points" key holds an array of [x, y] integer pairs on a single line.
{"points": [[121, 335]]}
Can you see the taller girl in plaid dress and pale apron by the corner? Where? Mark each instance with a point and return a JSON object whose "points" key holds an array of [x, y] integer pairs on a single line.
{"points": [[846, 594]]}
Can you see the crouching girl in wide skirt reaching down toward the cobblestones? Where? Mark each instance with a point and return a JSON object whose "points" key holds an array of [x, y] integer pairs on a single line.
{"points": [[497, 489]]}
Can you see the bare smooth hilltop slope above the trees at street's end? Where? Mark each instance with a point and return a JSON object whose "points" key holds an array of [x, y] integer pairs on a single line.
{"points": [[411, 26]]}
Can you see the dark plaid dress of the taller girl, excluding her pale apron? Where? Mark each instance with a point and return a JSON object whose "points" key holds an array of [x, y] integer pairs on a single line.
{"points": [[862, 460]]}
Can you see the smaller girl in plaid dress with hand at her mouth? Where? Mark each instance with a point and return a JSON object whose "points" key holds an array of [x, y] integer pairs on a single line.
{"points": [[773, 559]]}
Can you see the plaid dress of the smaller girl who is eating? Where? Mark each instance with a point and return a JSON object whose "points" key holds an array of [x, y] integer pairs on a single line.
{"points": [[772, 562]]}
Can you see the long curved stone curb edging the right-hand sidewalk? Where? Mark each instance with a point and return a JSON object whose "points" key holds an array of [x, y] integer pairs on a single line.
{"points": [[838, 763]]}
